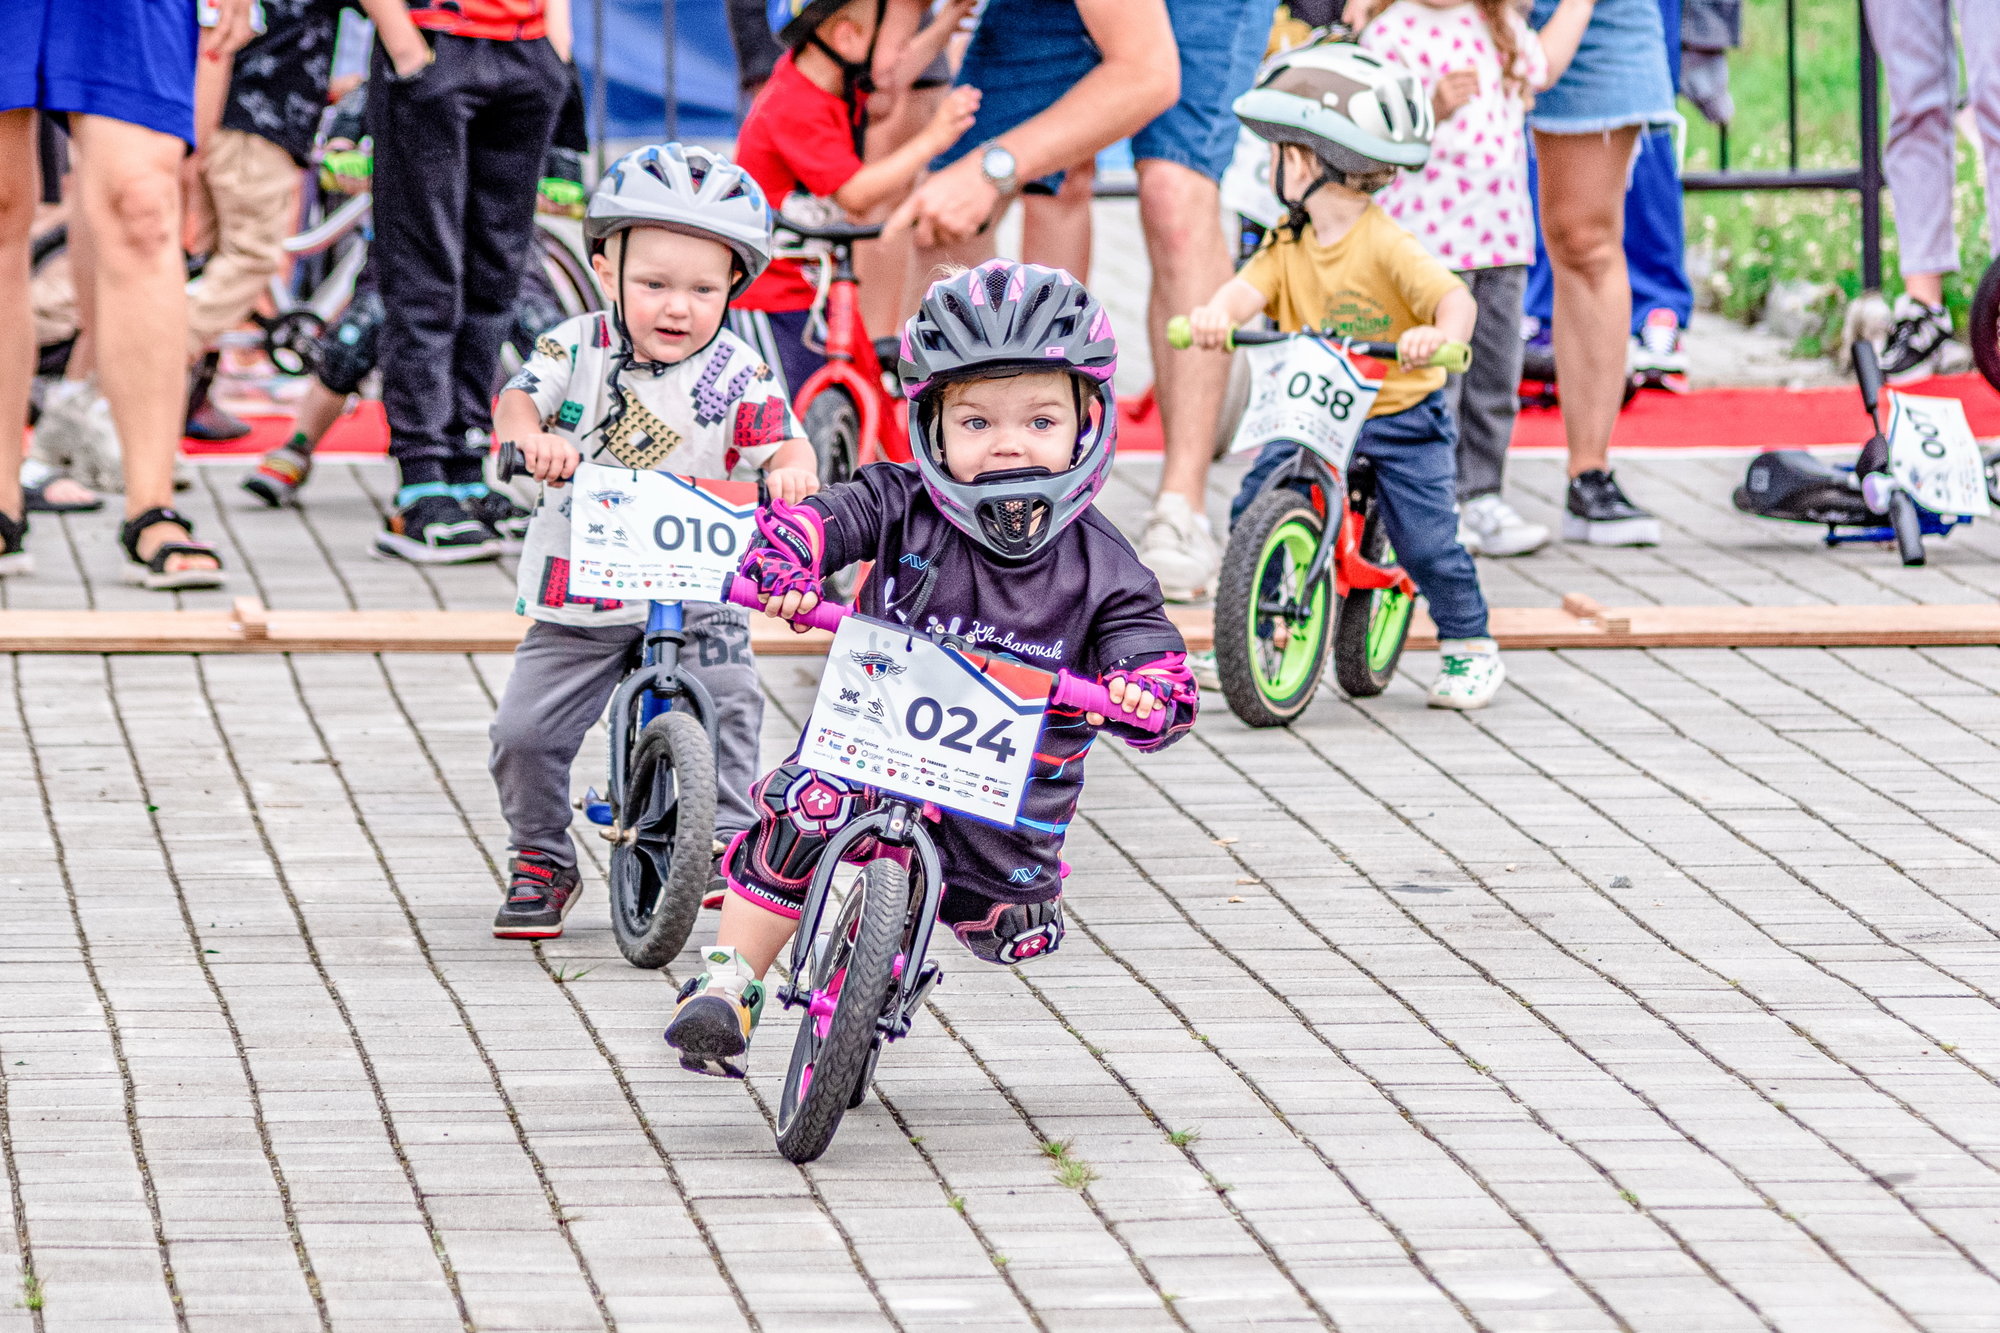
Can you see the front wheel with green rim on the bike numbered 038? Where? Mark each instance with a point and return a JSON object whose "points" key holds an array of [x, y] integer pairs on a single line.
{"points": [[1271, 665]]}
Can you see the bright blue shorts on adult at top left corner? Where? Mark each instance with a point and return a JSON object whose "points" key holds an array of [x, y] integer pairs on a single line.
{"points": [[121, 59]]}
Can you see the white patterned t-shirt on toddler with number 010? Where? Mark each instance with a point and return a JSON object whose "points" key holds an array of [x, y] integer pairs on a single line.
{"points": [[719, 413]]}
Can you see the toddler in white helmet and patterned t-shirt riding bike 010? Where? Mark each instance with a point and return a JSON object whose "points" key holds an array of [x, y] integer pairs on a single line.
{"points": [[655, 383]]}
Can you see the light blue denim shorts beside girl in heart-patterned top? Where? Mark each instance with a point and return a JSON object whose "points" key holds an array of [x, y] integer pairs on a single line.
{"points": [[1617, 79]]}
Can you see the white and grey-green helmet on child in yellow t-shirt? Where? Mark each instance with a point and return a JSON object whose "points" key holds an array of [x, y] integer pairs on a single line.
{"points": [[1353, 109]]}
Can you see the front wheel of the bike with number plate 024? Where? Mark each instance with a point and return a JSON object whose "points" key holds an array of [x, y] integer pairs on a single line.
{"points": [[863, 946]]}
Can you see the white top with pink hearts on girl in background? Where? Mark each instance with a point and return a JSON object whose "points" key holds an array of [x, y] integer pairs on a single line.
{"points": [[1469, 205]]}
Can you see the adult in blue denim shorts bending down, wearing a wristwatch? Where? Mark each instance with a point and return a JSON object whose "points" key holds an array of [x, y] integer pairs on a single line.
{"points": [[1065, 79]]}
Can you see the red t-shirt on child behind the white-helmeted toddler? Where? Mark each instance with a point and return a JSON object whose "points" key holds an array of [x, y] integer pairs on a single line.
{"points": [[797, 137]]}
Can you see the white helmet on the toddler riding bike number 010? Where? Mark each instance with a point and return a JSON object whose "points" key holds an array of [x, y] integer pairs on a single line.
{"points": [[685, 189]]}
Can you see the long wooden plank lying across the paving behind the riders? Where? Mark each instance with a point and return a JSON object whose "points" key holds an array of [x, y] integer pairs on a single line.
{"points": [[249, 627]]}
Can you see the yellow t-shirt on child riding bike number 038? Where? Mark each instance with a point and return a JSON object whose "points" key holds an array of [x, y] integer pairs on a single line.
{"points": [[1371, 285]]}
